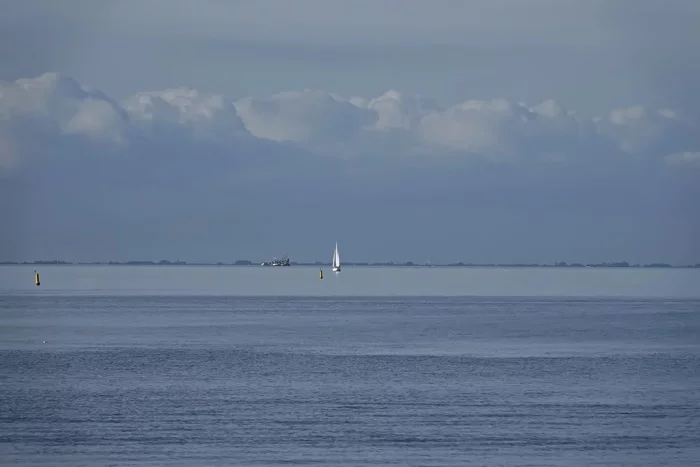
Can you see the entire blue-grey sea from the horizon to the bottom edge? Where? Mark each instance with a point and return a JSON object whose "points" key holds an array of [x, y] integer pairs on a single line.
{"points": [[217, 366]]}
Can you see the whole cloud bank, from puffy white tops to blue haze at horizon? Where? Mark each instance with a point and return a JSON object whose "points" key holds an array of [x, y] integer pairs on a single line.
{"points": [[70, 154]]}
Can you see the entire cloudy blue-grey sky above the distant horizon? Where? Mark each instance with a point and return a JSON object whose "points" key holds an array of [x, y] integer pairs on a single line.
{"points": [[475, 131]]}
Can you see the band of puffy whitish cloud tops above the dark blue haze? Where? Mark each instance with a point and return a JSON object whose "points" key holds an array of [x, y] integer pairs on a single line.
{"points": [[391, 123]]}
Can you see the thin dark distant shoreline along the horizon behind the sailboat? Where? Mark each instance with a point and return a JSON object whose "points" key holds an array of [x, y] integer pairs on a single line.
{"points": [[240, 263]]}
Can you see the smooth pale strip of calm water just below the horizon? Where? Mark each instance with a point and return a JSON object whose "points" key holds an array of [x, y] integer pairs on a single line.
{"points": [[359, 281]]}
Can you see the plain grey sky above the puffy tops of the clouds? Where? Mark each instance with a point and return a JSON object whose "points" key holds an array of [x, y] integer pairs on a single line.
{"points": [[590, 55]]}
